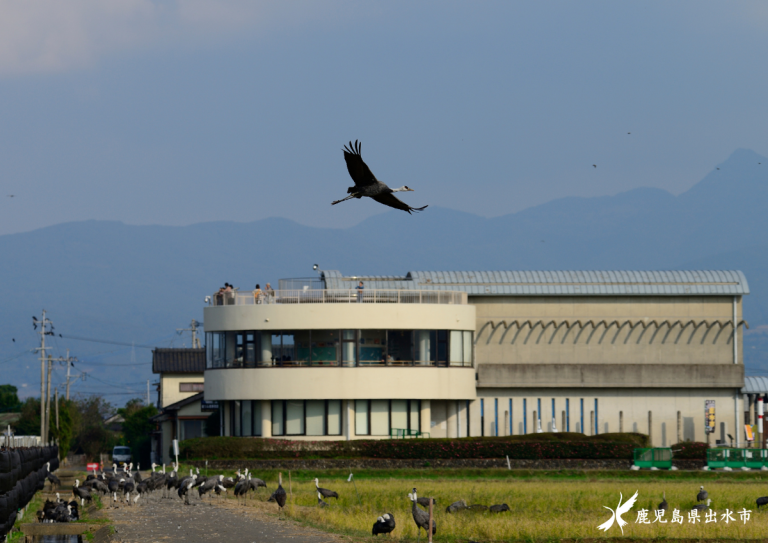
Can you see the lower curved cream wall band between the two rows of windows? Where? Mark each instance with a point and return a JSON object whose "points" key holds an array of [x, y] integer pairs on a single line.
{"points": [[385, 383]]}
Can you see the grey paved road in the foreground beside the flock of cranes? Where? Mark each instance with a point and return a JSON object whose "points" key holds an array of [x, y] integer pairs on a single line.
{"points": [[164, 520]]}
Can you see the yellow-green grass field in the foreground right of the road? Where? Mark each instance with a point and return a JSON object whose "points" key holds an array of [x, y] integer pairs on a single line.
{"points": [[544, 506]]}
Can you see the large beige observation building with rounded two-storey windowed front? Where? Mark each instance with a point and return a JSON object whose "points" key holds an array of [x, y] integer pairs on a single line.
{"points": [[456, 354]]}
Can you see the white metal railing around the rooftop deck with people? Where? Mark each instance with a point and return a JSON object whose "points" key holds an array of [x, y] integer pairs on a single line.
{"points": [[339, 296]]}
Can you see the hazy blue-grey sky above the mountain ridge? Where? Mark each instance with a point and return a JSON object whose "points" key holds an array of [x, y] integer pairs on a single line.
{"points": [[176, 112]]}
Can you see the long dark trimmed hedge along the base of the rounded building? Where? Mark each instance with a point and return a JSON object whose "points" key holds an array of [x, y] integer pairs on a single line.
{"points": [[529, 447]]}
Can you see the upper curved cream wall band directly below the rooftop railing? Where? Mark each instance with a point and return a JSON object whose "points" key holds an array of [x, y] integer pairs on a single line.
{"points": [[339, 316]]}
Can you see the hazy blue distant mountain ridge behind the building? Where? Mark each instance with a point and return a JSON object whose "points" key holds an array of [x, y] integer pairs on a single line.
{"points": [[102, 279]]}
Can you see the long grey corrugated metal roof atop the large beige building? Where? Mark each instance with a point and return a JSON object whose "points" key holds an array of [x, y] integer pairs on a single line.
{"points": [[557, 283]]}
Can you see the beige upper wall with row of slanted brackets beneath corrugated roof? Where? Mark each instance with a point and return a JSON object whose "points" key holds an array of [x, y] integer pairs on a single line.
{"points": [[627, 342]]}
